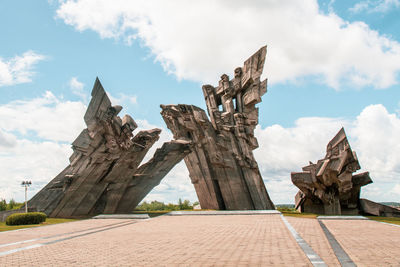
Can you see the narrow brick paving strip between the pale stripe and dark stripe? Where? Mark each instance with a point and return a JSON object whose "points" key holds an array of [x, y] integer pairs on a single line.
{"points": [[310, 230]]}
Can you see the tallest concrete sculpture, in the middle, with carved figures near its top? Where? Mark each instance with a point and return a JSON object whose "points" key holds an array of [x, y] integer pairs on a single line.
{"points": [[222, 166]]}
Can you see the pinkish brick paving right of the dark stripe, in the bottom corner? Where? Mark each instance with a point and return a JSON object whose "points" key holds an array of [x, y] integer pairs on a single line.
{"points": [[368, 243]]}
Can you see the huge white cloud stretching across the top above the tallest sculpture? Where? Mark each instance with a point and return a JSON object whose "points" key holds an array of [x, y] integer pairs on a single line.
{"points": [[198, 40]]}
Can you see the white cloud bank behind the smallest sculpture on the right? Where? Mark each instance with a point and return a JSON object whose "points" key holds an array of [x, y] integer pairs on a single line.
{"points": [[373, 135]]}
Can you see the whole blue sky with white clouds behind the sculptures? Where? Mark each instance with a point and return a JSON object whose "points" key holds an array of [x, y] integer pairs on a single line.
{"points": [[329, 64]]}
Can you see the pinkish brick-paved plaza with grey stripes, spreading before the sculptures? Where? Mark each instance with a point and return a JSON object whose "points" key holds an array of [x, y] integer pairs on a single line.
{"points": [[203, 240]]}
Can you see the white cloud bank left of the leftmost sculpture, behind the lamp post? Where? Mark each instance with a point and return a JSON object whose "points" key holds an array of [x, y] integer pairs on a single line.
{"points": [[23, 156]]}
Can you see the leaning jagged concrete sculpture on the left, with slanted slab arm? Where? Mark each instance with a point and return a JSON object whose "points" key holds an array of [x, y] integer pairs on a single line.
{"points": [[104, 174]]}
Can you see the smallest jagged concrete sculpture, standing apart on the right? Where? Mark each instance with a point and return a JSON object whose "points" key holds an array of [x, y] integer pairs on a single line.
{"points": [[329, 187]]}
